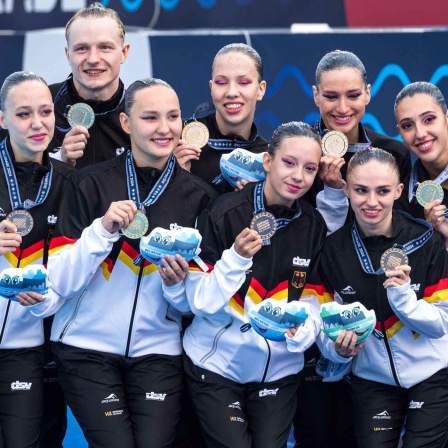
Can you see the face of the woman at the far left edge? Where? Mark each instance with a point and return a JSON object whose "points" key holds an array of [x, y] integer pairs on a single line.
{"points": [[29, 118]]}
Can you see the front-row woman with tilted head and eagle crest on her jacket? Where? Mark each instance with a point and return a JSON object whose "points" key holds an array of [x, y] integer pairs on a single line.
{"points": [[243, 385]]}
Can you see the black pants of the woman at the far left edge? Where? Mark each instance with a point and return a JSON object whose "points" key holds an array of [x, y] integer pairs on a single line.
{"points": [[21, 373]]}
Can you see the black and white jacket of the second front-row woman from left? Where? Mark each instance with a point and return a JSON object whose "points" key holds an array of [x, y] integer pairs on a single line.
{"points": [[106, 302]]}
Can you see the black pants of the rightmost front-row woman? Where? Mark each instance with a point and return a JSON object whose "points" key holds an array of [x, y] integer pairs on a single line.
{"points": [[380, 410]]}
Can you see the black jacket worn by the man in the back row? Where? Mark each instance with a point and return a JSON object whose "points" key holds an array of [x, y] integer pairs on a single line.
{"points": [[107, 138]]}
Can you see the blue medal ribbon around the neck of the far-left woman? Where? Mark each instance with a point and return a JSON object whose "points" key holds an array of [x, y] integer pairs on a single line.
{"points": [[13, 186]]}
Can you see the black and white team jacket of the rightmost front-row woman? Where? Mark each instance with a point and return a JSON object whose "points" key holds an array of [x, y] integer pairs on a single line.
{"points": [[413, 317]]}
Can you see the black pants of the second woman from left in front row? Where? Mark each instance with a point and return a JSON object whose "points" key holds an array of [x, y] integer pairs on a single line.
{"points": [[122, 402]]}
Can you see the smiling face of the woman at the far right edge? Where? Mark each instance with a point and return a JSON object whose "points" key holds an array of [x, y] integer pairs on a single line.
{"points": [[424, 129]]}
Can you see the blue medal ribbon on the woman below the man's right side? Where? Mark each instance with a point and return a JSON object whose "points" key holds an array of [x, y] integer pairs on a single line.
{"points": [[158, 188]]}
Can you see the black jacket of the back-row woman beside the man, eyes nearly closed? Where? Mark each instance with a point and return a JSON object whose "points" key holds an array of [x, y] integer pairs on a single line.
{"points": [[207, 167]]}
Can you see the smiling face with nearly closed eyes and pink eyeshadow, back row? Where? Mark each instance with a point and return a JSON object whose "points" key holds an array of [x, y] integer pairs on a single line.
{"points": [[235, 90]]}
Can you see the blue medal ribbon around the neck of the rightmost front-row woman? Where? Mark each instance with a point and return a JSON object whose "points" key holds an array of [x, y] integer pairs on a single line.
{"points": [[408, 248]]}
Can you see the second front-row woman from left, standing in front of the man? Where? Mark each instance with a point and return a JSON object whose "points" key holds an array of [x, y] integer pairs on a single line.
{"points": [[116, 339]]}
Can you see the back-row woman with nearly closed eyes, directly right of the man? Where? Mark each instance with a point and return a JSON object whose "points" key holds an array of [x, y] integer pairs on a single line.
{"points": [[236, 86]]}
